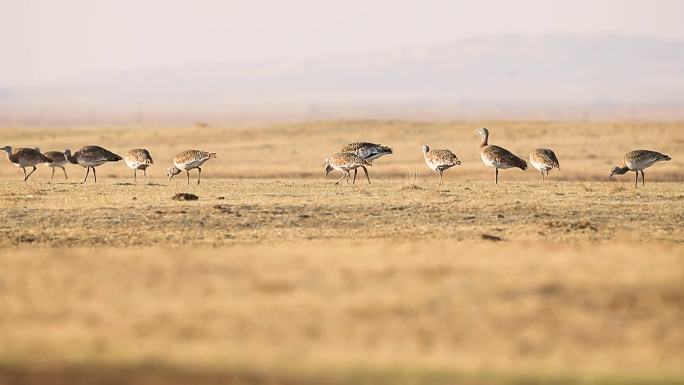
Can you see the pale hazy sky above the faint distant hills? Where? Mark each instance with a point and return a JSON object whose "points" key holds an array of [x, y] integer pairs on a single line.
{"points": [[44, 41]]}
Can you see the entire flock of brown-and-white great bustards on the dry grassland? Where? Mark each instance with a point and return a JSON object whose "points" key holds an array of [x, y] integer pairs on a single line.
{"points": [[351, 157]]}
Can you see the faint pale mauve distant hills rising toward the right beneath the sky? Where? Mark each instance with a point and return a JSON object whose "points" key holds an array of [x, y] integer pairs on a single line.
{"points": [[486, 71]]}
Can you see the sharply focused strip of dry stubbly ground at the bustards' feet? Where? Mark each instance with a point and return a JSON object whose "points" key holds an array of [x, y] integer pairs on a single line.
{"points": [[270, 211]]}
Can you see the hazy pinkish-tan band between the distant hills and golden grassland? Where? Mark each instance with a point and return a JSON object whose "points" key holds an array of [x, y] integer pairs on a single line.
{"points": [[309, 112]]}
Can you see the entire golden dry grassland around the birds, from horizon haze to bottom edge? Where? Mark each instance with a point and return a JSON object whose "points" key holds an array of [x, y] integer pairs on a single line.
{"points": [[277, 276]]}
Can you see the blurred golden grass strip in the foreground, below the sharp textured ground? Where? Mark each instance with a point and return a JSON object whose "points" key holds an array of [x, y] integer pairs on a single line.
{"points": [[341, 313]]}
